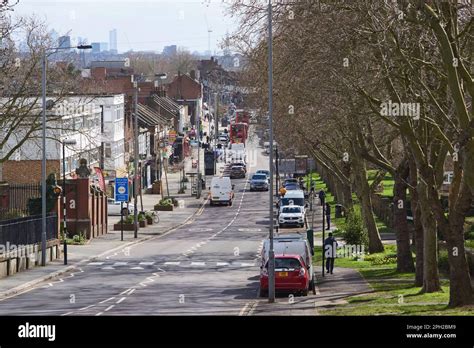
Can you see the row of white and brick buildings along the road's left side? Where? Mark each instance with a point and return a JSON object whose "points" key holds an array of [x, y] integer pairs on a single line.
{"points": [[100, 123]]}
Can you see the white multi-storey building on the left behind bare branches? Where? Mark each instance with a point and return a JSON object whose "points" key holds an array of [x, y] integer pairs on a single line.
{"points": [[95, 123]]}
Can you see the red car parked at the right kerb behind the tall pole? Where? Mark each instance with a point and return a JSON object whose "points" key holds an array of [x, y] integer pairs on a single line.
{"points": [[291, 274]]}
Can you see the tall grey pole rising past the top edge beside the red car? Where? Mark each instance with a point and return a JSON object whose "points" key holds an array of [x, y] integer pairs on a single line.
{"points": [[271, 253]]}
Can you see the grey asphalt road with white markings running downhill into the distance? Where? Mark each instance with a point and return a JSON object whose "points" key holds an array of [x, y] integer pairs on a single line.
{"points": [[209, 266]]}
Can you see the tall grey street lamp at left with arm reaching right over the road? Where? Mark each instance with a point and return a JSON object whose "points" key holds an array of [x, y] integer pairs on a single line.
{"points": [[43, 162]]}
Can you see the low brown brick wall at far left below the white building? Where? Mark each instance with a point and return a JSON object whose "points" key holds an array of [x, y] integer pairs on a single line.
{"points": [[27, 172]]}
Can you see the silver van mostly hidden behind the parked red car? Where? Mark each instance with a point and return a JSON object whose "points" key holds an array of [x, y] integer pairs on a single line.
{"points": [[291, 244]]}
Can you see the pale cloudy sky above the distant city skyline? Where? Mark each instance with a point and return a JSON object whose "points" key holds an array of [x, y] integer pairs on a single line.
{"points": [[141, 24]]}
